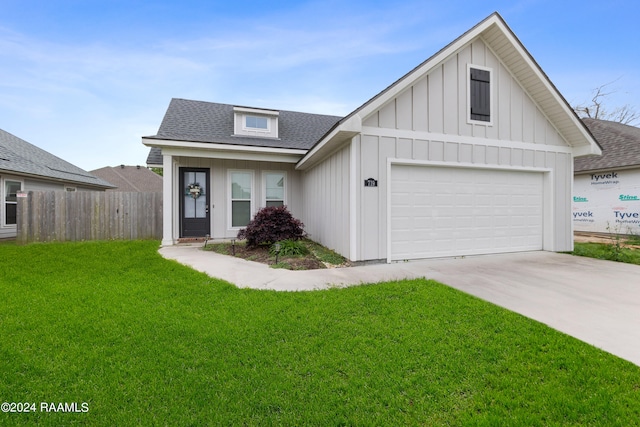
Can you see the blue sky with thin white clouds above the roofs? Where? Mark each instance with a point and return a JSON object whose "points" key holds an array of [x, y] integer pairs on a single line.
{"points": [[85, 80]]}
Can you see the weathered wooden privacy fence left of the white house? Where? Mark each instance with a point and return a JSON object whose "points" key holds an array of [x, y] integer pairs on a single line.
{"points": [[88, 215]]}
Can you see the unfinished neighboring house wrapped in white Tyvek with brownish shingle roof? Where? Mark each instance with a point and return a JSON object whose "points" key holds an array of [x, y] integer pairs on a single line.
{"points": [[606, 189]]}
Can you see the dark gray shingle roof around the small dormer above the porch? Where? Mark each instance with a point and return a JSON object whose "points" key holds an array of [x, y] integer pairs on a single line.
{"points": [[199, 121]]}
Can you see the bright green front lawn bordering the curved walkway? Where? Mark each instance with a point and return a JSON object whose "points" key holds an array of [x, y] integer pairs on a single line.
{"points": [[146, 341]]}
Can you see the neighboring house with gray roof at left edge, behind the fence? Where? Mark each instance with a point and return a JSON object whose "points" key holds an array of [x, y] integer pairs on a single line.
{"points": [[25, 167]]}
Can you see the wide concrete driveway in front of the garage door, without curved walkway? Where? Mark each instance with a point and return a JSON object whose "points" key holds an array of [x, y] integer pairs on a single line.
{"points": [[595, 301]]}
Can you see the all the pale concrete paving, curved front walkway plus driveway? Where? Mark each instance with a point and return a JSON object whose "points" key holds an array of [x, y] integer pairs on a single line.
{"points": [[593, 300]]}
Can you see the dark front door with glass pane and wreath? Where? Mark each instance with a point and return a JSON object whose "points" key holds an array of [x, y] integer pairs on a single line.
{"points": [[194, 202]]}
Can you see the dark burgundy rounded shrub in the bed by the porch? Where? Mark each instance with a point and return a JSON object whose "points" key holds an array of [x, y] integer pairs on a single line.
{"points": [[272, 224]]}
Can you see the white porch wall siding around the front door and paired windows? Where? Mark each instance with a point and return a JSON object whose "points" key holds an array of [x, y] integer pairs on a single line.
{"points": [[219, 185]]}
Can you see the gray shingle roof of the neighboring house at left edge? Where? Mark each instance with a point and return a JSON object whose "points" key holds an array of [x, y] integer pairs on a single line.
{"points": [[22, 158]]}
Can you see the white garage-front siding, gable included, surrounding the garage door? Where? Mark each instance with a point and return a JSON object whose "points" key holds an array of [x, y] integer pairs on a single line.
{"points": [[428, 121]]}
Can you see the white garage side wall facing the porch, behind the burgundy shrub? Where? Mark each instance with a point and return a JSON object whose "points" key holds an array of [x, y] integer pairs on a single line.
{"points": [[327, 202]]}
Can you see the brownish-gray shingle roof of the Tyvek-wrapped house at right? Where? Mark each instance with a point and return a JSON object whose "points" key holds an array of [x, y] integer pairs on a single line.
{"points": [[620, 146]]}
